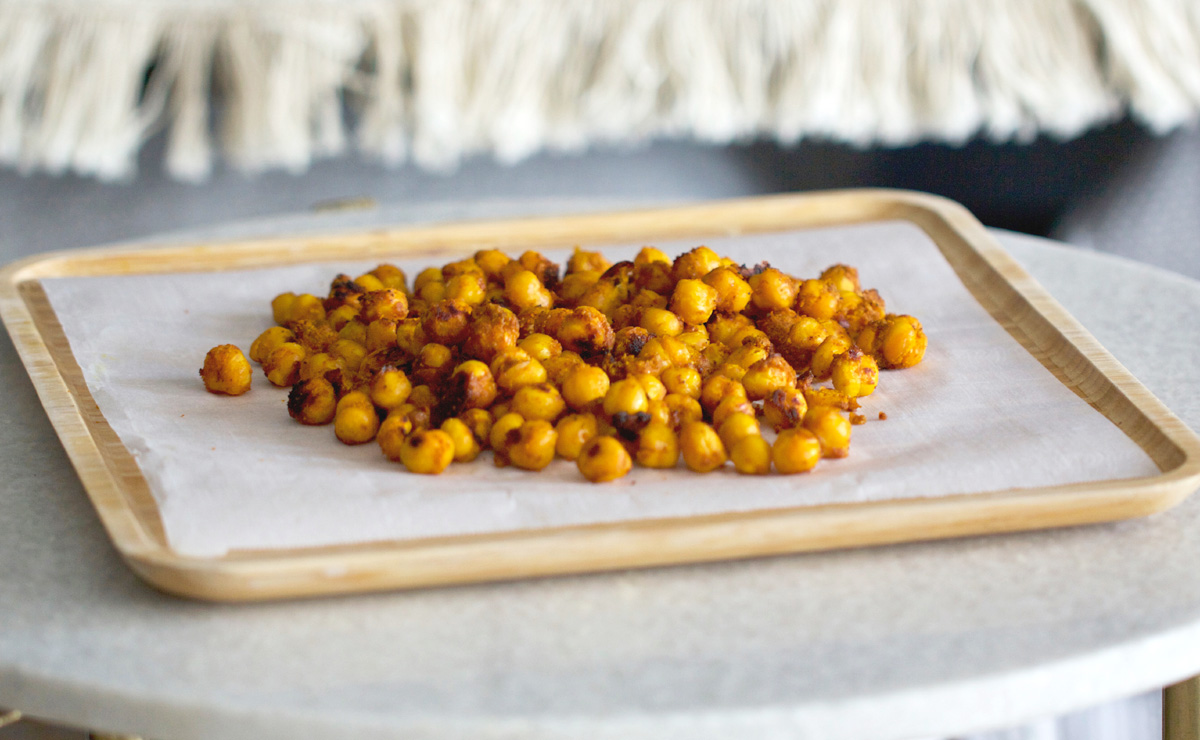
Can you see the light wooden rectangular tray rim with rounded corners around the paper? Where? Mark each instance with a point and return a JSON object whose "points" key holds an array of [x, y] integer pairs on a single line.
{"points": [[123, 500]]}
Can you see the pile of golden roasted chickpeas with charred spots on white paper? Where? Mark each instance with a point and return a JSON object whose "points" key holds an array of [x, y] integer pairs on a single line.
{"points": [[608, 365]]}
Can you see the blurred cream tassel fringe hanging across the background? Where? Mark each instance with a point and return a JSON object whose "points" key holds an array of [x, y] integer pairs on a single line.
{"points": [[85, 83]]}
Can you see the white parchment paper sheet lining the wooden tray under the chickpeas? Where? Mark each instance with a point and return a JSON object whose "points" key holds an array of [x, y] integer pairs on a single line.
{"points": [[980, 414]]}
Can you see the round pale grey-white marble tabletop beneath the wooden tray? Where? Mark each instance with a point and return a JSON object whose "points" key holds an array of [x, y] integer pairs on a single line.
{"points": [[881, 643]]}
